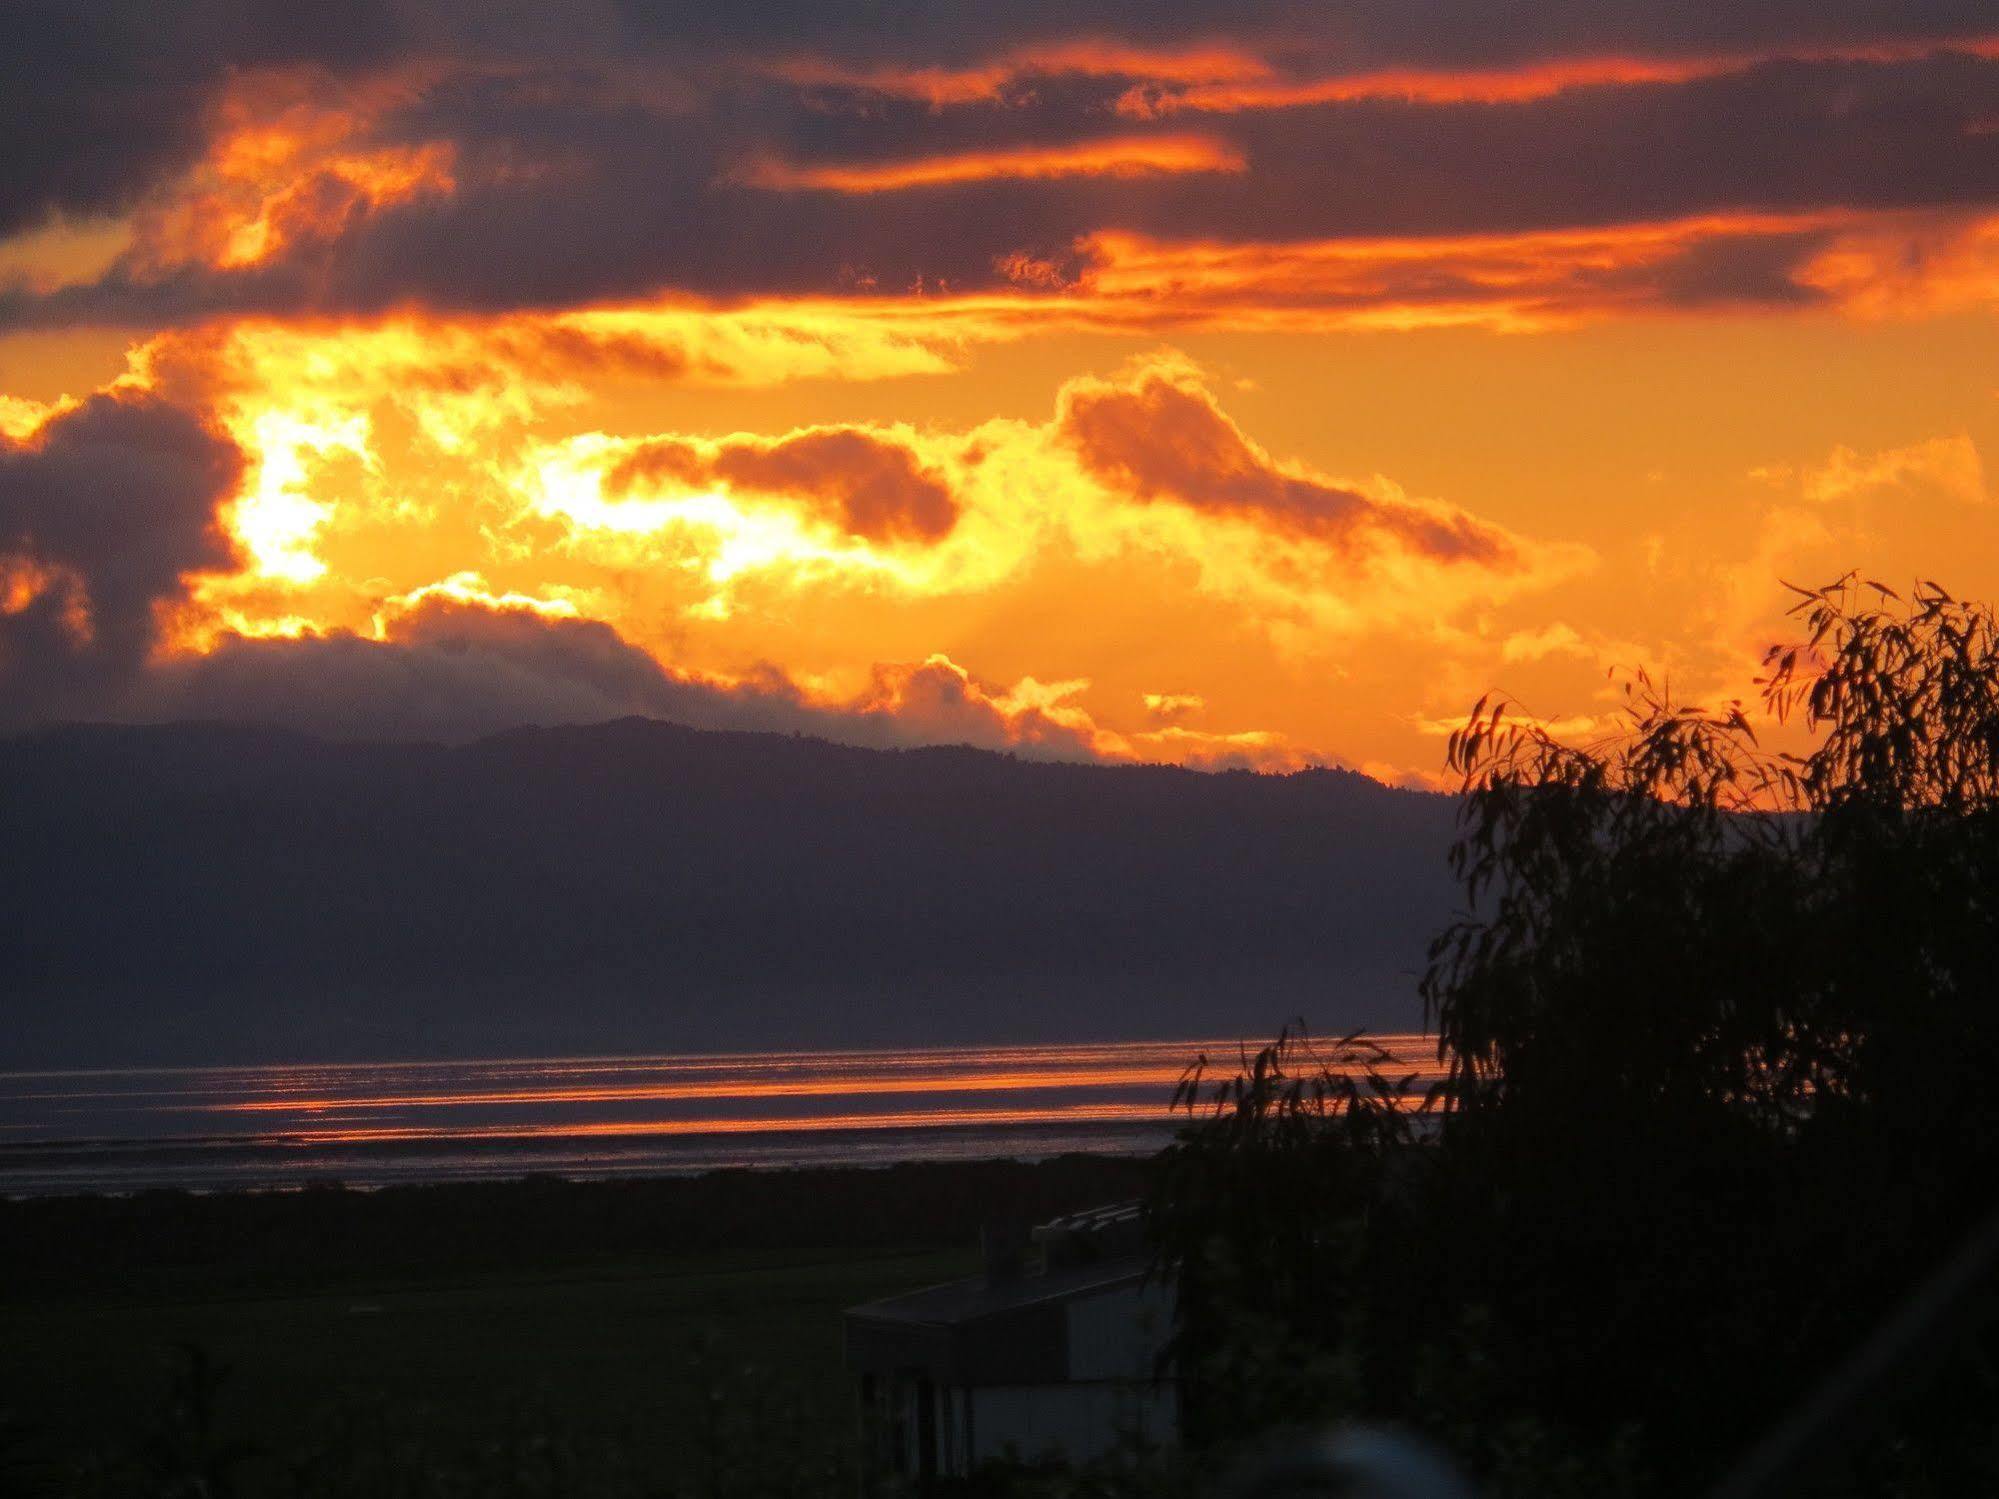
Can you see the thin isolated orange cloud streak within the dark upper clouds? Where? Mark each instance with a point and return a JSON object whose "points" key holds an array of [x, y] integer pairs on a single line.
{"points": [[1110, 157]]}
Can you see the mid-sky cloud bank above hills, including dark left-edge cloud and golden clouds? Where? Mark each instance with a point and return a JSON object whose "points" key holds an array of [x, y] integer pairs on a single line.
{"points": [[147, 553]]}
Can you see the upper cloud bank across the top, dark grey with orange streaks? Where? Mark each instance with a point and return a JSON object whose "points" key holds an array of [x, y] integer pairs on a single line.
{"points": [[271, 165]]}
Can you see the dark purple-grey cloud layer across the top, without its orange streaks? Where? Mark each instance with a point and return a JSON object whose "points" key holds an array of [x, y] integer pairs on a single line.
{"points": [[607, 157]]}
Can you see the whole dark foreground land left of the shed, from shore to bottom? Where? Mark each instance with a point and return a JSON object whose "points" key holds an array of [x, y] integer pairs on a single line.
{"points": [[517, 1338]]}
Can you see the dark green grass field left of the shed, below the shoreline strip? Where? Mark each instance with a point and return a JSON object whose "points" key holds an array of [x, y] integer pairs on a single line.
{"points": [[707, 1372]]}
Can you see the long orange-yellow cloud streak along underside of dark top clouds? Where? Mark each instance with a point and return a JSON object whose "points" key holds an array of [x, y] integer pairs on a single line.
{"points": [[1862, 263]]}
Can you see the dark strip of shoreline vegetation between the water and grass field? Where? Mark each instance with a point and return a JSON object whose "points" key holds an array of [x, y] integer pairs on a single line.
{"points": [[325, 1232]]}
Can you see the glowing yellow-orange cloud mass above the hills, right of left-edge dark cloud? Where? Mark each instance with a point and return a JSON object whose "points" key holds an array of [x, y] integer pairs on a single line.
{"points": [[419, 531]]}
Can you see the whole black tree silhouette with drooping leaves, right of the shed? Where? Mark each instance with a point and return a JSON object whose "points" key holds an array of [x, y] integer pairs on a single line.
{"points": [[1718, 1030]]}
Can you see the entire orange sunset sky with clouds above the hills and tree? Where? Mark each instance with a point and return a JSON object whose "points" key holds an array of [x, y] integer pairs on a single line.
{"points": [[1228, 385]]}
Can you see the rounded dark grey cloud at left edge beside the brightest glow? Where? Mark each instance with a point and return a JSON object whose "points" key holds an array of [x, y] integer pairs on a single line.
{"points": [[101, 519]]}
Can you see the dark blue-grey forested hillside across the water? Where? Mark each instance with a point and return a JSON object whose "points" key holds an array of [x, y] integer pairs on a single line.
{"points": [[211, 892]]}
